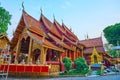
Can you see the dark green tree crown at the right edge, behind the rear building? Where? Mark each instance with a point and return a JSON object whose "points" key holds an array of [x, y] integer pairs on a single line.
{"points": [[112, 34]]}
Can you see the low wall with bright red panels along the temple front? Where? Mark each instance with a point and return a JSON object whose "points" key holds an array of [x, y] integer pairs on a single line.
{"points": [[26, 70]]}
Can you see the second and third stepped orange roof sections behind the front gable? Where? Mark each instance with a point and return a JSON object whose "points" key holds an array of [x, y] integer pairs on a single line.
{"points": [[56, 29]]}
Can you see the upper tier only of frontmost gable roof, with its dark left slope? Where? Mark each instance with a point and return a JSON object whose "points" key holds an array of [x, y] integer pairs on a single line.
{"points": [[28, 22]]}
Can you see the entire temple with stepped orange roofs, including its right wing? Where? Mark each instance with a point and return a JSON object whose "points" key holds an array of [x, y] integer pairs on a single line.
{"points": [[45, 42]]}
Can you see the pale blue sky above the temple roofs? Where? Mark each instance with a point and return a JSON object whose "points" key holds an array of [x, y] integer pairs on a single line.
{"points": [[83, 16]]}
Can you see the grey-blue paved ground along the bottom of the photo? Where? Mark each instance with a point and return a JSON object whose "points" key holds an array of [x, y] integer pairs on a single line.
{"points": [[108, 77]]}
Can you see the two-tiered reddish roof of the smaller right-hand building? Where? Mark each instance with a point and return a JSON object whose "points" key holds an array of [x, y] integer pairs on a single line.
{"points": [[91, 43]]}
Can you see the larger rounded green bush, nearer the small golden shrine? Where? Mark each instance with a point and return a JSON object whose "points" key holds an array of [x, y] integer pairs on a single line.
{"points": [[81, 65]]}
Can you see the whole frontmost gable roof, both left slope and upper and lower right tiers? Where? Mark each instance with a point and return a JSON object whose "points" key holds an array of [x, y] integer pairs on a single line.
{"points": [[34, 30]]}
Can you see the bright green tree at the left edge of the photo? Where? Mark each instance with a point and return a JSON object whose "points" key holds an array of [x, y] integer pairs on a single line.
{"points": [[4, 20]]}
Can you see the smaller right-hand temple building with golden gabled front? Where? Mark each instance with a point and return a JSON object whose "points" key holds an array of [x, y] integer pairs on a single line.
{"points": [[94, 52]]}
